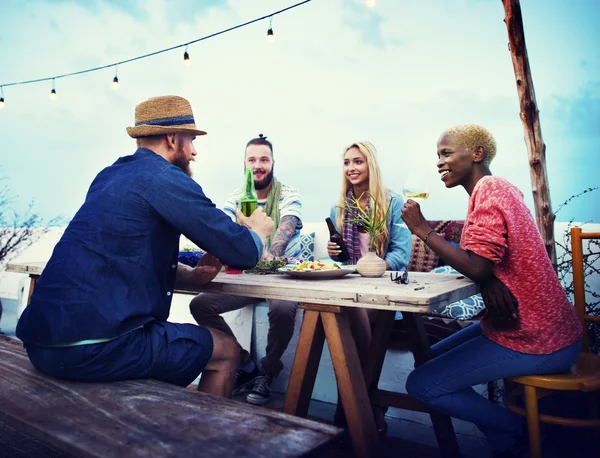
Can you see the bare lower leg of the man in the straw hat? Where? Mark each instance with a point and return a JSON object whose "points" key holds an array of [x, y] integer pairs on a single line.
{"points": [[217, 376]]}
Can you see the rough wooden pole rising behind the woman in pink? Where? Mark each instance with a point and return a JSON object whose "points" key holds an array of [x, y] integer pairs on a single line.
{"points": [[531, 123]]}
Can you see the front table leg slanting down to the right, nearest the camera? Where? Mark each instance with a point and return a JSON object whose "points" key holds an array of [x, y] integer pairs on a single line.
{"points": [[351, 384]]}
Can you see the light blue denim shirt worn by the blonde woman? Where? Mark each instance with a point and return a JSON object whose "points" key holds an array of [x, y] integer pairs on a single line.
{"points": [[398, 246]]}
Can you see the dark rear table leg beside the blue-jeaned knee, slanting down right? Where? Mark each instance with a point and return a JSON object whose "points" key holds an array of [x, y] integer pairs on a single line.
{"points": [[442, 425]]}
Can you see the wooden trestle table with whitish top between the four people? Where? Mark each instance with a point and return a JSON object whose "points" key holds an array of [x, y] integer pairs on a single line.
{"points": [[324, 303]]}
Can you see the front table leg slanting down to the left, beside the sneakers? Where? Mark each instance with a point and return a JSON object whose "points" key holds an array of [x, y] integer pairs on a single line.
{"points": [[305, 366]]}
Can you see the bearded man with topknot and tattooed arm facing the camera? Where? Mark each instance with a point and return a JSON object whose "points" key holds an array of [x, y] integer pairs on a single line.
{"points": [[283, 204]]}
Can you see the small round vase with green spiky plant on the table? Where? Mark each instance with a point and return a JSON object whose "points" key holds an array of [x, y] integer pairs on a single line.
{"points": [[373, 223]]}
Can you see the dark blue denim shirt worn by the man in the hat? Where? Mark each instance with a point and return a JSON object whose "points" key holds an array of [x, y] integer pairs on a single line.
{"points": [[114, 268]]}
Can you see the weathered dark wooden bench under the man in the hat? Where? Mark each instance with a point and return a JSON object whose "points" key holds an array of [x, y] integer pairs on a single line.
{"points": [[145, 418]]}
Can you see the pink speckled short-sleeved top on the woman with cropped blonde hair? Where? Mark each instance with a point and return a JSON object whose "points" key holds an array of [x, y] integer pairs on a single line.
{"points": [[500, 227]]}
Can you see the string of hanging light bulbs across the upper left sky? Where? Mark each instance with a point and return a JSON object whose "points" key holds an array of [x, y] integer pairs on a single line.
{"points": [[53, 95]]}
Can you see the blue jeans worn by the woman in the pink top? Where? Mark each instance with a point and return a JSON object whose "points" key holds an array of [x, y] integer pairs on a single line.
{"points": [[467, 358]]}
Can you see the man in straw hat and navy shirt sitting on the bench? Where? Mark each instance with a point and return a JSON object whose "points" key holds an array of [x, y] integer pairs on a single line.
{"points": [[99, 310]]}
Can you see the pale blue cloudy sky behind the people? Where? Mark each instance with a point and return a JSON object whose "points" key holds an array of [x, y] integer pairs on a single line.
{"points": [[396, 74]]}
